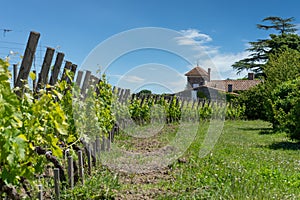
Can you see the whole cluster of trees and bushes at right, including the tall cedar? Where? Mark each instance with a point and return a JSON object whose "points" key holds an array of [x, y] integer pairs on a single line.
{"points": [[275, 60]]}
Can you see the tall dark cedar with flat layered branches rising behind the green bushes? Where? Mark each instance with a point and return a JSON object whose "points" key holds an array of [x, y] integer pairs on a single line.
{"points": [[263, 48]]}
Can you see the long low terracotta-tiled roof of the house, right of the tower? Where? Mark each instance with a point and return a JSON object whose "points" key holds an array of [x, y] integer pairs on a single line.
{"points": [[237, 85]]}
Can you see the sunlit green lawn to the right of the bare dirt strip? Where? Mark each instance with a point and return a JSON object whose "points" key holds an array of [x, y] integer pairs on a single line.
{"points": [[243, 165]]}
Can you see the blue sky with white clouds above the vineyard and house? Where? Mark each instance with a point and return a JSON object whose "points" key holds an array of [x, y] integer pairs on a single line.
{"points": [[109, 36]]}
